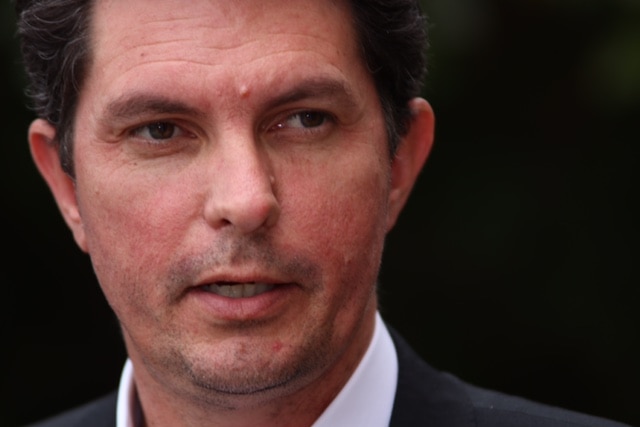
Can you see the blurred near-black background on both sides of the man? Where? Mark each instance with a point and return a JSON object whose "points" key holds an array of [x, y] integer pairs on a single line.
{"points": [[514, 265]]}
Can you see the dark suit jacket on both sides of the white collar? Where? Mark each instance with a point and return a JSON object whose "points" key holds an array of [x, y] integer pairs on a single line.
{"points": [[425, 397]]}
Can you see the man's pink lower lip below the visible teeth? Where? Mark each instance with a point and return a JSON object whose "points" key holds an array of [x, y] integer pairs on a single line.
{"points": [[259, 307]]}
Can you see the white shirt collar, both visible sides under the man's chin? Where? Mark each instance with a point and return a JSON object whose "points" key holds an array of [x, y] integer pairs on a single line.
{"points": [[366, 400]]}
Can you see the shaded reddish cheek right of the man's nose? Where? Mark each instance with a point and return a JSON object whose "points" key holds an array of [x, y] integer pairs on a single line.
{"points": [[336, 213]]}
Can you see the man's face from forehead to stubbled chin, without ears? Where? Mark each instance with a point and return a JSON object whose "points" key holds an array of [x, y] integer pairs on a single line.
{"points": [[232, 187]]}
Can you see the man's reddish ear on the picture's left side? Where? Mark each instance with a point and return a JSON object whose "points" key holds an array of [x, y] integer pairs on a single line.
{"points": [[44, 151]]}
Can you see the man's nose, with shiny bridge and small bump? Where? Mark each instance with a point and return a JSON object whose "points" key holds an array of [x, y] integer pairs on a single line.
{"points": [[241, 189]]}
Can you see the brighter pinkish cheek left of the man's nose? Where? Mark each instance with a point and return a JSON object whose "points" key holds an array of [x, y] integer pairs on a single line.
{"points": [[133, 228]]}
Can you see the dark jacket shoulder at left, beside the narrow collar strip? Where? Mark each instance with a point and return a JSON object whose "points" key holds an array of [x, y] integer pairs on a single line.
{"points": [[98, 413]]}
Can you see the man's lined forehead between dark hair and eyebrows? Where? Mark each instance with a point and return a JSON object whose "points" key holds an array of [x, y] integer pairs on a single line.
{"points": [[206, 35]]}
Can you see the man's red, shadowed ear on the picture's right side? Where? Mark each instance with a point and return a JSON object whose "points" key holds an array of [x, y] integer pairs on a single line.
{"points": [[411, 154]]}
